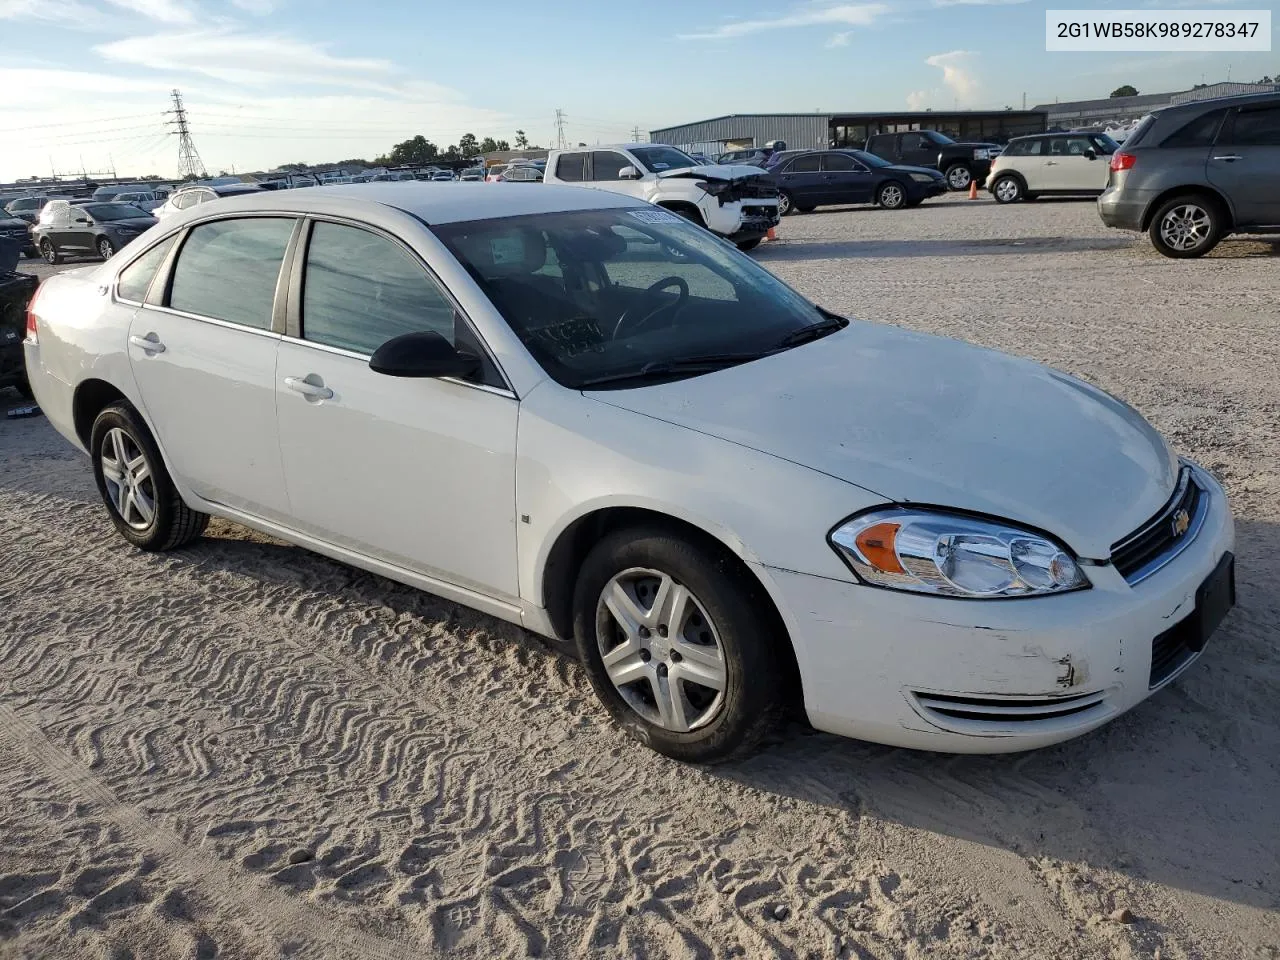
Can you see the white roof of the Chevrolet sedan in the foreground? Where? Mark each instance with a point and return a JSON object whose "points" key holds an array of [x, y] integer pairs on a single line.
{"points": [[465, 202]]}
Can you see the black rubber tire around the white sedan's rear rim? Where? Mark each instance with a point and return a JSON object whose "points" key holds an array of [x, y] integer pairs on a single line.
{"points": [[173, 524]]}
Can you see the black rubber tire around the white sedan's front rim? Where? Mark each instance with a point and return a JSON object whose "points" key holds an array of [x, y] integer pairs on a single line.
{"points": [[755, 696]]}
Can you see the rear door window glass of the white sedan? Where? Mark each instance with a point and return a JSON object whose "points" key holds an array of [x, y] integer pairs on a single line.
{"points": [[228, 269]]}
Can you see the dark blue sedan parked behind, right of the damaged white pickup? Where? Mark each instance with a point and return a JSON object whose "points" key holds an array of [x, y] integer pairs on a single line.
{"points": [[825, 177]]}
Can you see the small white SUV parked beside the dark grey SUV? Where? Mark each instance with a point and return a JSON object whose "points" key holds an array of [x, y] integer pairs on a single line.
{"points": [[1052, 164]]}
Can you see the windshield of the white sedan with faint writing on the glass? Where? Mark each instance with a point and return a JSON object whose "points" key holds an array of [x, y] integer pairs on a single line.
{"points": [[614, 294]]}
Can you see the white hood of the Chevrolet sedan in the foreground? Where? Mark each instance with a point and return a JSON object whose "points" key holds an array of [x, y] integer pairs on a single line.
{"points": [[920, 419]]}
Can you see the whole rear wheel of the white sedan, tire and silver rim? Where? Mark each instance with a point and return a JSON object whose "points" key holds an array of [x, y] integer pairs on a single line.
{"points": [[140, 497]]}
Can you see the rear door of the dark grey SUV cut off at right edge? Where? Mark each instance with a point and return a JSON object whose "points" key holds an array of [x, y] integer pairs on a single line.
{"points": [[1245, 164]]}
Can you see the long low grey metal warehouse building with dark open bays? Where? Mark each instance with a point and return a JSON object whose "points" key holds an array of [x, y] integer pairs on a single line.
{"points": [[851, 130]]}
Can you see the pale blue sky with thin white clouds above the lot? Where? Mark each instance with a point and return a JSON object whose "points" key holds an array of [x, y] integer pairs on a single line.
{"points": [[88, 83]]}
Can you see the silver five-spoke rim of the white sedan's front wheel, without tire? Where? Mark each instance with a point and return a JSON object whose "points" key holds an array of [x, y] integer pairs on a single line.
{"points": [[661, 650]]}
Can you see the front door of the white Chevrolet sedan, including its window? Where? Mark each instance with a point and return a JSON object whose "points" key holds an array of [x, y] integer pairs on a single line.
{"points": [[419, 473]]}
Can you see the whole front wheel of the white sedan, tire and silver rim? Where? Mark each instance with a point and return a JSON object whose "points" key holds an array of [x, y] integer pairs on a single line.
{"points": [[679, 646]]}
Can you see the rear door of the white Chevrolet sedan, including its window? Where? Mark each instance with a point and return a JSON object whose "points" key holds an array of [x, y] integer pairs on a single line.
{"points": [[204, 358]]}
